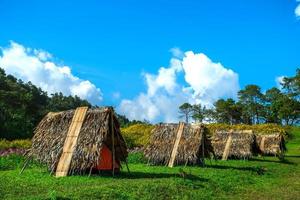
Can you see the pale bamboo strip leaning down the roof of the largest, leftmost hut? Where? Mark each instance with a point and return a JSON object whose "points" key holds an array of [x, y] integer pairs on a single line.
{"points": [[70, 142]]}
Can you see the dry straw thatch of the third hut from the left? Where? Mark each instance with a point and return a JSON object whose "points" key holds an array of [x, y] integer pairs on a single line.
{"points": [[242, 145]]}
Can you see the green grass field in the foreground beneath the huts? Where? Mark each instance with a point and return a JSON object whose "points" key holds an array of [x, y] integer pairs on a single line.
{"points": [[258, 178]]}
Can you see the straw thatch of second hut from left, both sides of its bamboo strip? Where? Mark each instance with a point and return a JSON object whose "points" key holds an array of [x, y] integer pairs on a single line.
{"points": [[192, 147]]}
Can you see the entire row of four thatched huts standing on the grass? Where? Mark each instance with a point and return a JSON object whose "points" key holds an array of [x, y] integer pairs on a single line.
{"points": [[85, 139]]}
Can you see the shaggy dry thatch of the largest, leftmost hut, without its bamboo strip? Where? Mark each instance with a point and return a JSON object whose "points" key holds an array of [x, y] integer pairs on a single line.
{"points": [[96, 130]]}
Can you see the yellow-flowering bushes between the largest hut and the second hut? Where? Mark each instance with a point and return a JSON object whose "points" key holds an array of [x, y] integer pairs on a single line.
{"points": [[137, 135]]}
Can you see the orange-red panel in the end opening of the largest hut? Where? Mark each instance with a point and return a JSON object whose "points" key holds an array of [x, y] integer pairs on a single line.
{"points": [[106, 160]]}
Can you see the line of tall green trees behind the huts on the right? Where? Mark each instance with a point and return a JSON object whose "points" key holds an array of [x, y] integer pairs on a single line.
{"points": [[280, 106]]}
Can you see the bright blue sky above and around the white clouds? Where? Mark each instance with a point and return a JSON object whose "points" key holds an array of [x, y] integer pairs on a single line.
{"points": [[113, 43]]}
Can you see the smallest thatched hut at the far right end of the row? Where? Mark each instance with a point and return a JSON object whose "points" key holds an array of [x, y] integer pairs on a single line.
{"points": [[270, 144]]}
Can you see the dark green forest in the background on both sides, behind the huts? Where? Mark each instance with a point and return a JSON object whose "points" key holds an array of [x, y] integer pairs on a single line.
{"points": [[22, 106]]}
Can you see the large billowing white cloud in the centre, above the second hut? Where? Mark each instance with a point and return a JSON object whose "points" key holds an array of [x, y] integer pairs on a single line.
{"points": [[207, 81]]}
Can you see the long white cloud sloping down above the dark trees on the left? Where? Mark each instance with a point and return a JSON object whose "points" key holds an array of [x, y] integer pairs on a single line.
{"points": [[36, 66]]}
